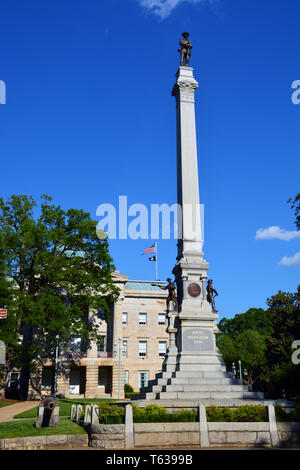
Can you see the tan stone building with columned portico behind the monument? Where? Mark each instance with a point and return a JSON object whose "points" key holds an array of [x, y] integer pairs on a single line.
{"points": [[132, 348]]}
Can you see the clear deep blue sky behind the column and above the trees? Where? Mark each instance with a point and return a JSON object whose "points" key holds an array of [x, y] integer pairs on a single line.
{"points": [[89, 116]]}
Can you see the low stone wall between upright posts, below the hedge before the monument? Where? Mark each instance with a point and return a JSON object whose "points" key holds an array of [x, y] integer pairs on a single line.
{"points": [[182, 434]]}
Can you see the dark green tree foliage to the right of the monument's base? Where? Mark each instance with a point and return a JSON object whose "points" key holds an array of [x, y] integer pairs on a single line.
{"points": [[262, 340]]}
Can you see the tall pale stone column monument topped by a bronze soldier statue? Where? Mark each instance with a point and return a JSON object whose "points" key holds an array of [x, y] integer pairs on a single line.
{"points": [[193, 368]]}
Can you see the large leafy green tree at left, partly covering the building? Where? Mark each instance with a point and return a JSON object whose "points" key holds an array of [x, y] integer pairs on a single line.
{"points": [[60, 271]]}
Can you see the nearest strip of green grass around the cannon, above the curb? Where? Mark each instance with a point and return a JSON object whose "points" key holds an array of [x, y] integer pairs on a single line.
{"points": [[27, 428]]}
